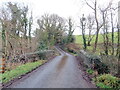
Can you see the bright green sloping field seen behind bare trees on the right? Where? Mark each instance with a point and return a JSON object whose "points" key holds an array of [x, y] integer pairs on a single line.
{"points": [[100, 46]]}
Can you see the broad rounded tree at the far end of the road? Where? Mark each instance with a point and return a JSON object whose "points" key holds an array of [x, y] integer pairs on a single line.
{"points": [[51, 29]]}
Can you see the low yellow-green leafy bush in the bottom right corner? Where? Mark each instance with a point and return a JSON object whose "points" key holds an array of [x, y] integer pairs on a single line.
{"points": [[107, 81]]}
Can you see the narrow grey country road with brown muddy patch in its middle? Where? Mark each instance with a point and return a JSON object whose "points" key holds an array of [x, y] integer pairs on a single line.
{"points": [[61, 72]]}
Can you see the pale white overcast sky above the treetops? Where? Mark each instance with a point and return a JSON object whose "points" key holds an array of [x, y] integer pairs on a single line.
{"points": [[64, 8]]}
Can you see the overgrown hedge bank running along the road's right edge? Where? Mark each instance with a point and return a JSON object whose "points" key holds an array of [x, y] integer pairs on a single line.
{"points": [[101, 72]]}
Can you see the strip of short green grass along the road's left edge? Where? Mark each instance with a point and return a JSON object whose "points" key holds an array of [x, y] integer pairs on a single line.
{"points": [[20, 70]]}
